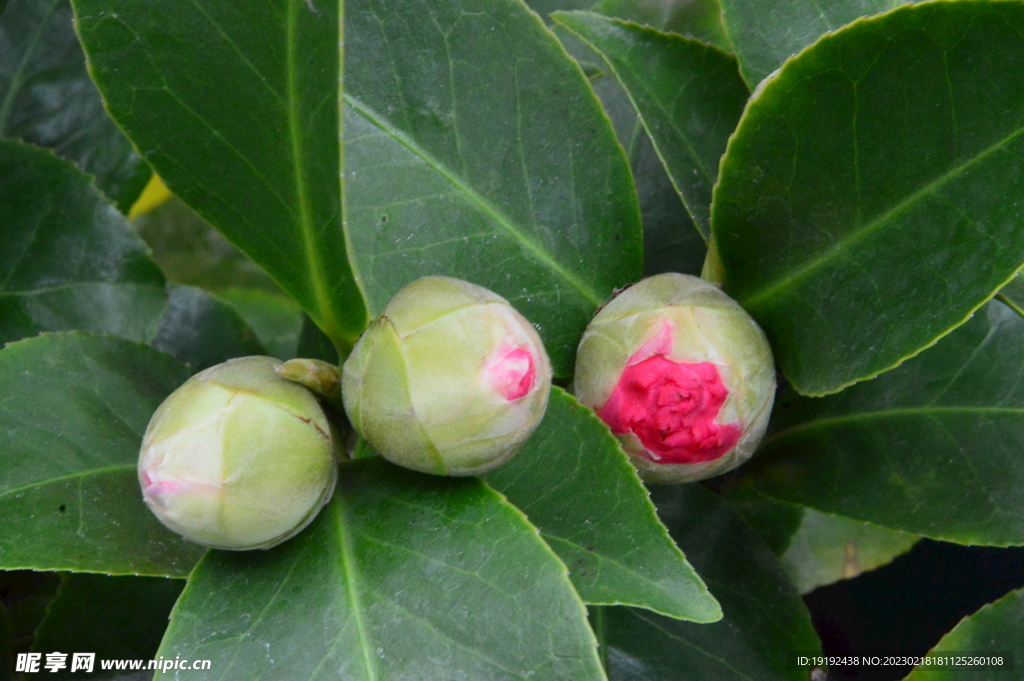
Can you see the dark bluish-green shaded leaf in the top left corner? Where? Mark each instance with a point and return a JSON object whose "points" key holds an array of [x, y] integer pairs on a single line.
{"points": [[48, 99]]}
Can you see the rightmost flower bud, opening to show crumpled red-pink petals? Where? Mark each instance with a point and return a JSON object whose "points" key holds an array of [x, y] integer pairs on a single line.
{"points": [[681, 374]]}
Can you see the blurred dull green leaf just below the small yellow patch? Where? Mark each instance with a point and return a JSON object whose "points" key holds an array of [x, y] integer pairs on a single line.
{"points": [[191, 252]]}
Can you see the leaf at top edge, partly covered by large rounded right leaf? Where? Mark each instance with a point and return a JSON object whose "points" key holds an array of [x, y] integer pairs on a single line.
{"points": [[766, 34]]}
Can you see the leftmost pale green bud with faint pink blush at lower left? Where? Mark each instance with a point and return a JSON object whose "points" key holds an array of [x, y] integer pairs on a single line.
{"points": [[238, 457]]}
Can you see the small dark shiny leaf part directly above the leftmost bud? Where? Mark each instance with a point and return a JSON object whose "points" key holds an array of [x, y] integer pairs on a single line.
{"points": [[202, 331]]}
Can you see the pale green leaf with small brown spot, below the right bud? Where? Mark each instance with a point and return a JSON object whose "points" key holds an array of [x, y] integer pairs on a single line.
{"points": [[830, 548]]}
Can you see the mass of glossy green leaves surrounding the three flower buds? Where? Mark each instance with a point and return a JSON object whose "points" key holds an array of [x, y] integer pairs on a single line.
{"points": [[854, 174]]}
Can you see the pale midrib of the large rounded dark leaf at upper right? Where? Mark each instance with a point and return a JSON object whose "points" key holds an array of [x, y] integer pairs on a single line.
{"points": [[836, 251]]}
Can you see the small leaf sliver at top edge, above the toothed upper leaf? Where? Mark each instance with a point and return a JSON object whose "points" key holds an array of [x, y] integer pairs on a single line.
{"points": [[695, 19]]}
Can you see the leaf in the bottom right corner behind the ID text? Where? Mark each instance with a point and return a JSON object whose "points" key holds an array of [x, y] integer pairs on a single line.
{"points": [[995, 629]]}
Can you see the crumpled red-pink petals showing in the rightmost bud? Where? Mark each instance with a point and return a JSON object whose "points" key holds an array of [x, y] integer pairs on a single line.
{"points": [[672, 408]]}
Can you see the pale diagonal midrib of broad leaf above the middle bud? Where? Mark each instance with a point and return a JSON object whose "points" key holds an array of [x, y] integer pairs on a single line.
{"points": [[485, 206]]}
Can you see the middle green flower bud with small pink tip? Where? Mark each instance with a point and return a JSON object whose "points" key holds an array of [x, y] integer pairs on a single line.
{"points": [[450, 380]]}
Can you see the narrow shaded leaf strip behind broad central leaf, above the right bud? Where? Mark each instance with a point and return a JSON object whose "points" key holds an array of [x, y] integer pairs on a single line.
{"points": [[671, 241]]}
